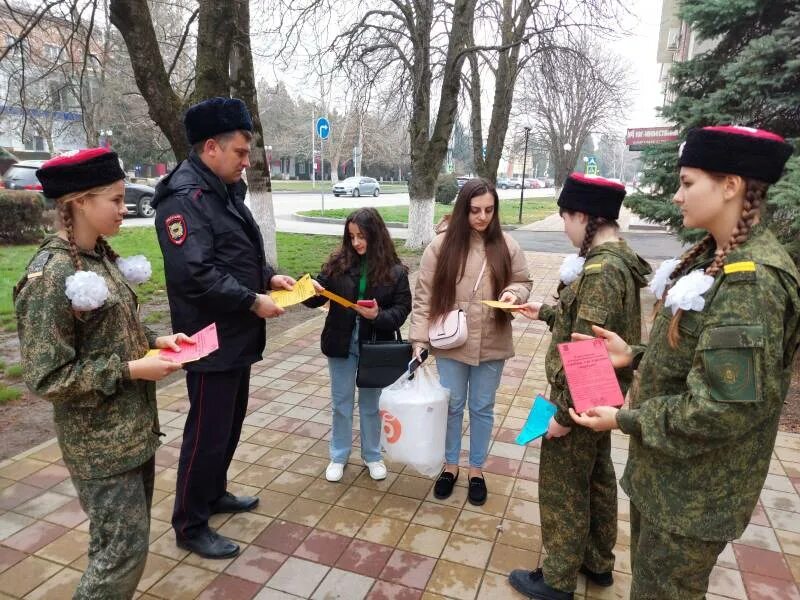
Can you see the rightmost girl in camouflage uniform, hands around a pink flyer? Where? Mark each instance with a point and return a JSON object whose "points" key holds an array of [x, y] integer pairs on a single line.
{"points": [[705, 406]]}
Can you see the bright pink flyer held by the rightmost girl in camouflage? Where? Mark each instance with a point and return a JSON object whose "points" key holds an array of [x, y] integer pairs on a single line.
{"points": [[590, 374]]}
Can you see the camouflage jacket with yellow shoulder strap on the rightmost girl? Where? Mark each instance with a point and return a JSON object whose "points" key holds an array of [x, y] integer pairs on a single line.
{"points": [[704, 416]]}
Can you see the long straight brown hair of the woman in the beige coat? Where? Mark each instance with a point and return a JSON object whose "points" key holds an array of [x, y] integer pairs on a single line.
{"points": [[452, 260]]}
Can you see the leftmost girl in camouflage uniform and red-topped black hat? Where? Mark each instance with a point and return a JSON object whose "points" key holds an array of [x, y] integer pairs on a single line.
{"points": [[89, 363]]}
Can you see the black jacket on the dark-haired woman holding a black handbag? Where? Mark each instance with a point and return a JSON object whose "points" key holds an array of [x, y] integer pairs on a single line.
{"points": [[394, 301]]}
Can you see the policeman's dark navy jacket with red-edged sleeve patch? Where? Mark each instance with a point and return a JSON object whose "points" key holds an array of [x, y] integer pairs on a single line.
{"points": [[214, 262]]}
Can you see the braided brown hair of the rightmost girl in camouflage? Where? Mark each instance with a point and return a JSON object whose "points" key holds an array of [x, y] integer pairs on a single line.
{"points": [[754, 198]]}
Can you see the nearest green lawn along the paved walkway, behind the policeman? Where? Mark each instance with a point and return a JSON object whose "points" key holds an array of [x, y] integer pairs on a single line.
{"points": [[297, 254]]}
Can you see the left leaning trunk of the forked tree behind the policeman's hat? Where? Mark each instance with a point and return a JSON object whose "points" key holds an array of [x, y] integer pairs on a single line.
{"points": [[132, 19]]}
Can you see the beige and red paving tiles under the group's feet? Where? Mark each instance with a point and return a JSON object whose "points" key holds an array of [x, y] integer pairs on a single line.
{"points": [[360, 539]]}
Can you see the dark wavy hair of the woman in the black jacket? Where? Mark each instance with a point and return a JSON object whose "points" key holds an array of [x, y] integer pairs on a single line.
{"points": [[381, 253]]}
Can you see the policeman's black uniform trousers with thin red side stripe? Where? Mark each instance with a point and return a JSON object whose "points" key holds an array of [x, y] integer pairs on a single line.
{"points": [[218, 405]]}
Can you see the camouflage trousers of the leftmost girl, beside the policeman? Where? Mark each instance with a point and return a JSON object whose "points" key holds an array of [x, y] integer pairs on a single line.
{"points": [[119, 527]]}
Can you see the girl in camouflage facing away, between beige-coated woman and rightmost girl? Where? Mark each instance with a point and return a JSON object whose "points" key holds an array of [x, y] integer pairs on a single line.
{"points": [[577, 483]]}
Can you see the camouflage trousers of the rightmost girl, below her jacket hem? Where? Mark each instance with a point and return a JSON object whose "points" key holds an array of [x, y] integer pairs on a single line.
{"points": [[668, 566]]}
